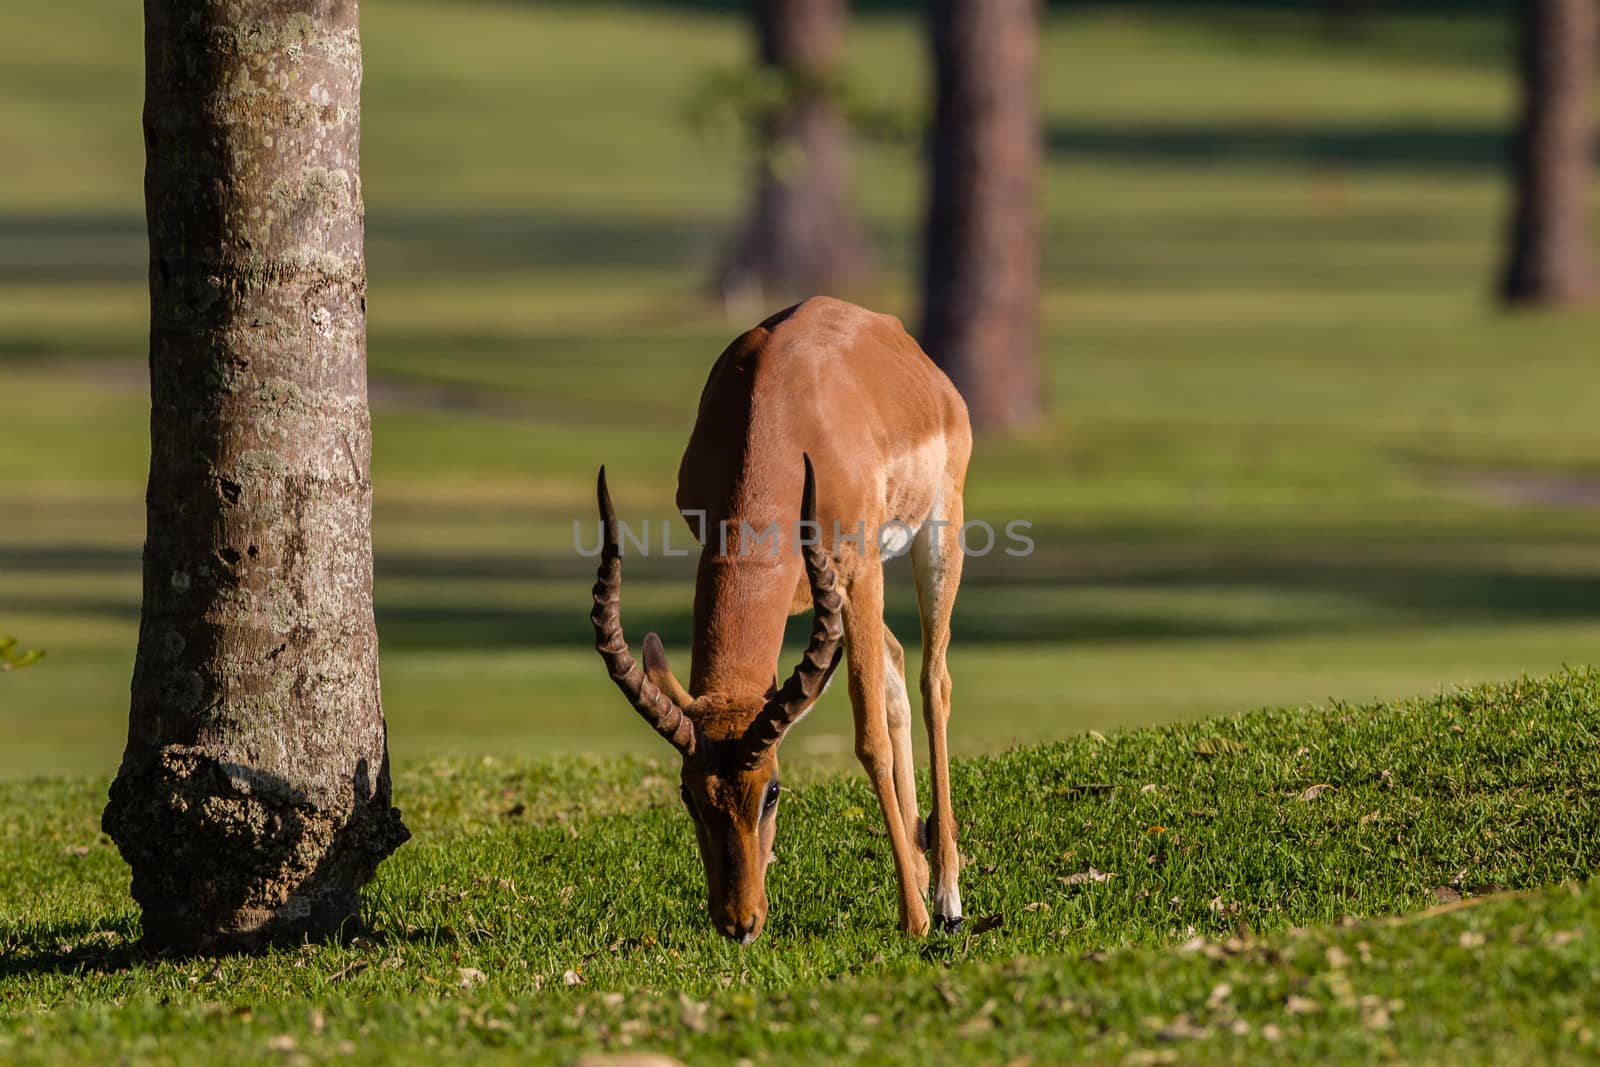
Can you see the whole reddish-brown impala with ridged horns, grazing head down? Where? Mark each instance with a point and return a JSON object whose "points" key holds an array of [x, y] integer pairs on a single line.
{"points": [[831, 415]]}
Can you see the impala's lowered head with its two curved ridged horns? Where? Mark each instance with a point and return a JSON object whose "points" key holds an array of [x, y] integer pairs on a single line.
{"points": [[729, 780]]}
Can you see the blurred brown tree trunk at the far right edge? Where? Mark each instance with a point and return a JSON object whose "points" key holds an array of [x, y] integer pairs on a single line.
{"points": [[1550, 258]]}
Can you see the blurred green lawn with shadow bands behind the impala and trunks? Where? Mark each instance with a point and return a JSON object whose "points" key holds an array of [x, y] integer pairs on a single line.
{"points": [[1295, 455]]}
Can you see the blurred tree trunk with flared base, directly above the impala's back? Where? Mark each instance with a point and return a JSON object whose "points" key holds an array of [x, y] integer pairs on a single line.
{"points": [[802, 238]]}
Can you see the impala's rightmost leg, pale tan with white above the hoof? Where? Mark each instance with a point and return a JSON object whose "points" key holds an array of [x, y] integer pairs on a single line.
{"points": [[937, 561]]}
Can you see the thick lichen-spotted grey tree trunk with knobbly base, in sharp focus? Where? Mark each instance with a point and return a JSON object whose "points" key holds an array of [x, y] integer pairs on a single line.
{"points": [[254, 796]]}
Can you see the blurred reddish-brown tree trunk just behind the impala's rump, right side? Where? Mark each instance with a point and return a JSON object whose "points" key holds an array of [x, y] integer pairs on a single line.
{"points": [[982, 268]]}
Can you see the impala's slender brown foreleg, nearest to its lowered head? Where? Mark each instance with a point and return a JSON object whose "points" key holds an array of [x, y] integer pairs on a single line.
{"points": [[874, 748]]}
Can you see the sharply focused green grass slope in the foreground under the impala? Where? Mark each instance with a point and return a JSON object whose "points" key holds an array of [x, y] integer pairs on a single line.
{"points": [[1225, 842]]}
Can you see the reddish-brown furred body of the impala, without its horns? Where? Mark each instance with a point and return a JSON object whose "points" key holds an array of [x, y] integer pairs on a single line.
{"points": [[890, 441]]}
